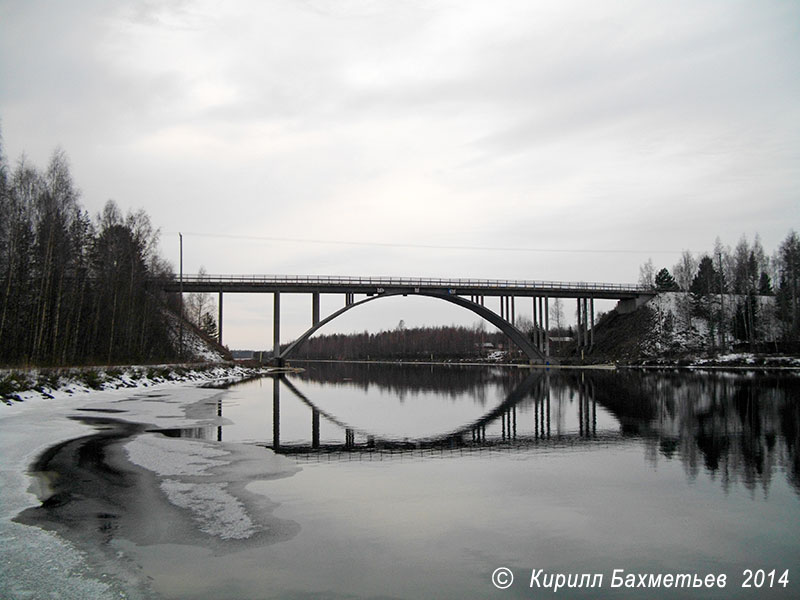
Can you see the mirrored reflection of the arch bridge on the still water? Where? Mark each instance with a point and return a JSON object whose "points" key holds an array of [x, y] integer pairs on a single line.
{"points": [[471, 437]]}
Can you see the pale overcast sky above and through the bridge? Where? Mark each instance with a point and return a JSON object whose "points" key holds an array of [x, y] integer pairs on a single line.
{"points": [[566, 140]]}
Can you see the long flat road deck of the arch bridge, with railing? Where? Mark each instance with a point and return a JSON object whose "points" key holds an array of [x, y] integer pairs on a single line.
{"points": [[406, 285]]}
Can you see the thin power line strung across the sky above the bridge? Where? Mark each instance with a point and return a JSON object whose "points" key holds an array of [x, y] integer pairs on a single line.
{"points": [[429, 246]]}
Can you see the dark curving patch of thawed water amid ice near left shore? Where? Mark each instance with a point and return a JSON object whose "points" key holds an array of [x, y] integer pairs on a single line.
{"points": [[95, 497]]}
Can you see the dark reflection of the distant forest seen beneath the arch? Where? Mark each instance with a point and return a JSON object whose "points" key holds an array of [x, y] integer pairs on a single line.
{"points": [[404, 379]]}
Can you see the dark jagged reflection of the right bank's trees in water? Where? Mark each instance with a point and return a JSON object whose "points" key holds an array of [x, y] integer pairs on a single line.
{"points": [[739, 428]]}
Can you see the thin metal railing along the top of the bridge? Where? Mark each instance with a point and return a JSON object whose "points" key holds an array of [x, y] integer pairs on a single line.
{"points": [[415, 282]]}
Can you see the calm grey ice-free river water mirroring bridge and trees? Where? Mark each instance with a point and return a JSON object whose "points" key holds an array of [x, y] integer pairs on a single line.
{"points": [[419, 481]]}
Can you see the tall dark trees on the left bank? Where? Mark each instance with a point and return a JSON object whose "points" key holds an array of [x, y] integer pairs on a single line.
{"points": [[72, 287]]}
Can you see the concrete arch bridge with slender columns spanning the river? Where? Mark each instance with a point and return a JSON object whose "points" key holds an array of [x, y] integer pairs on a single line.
{"points": [[467, 293]]}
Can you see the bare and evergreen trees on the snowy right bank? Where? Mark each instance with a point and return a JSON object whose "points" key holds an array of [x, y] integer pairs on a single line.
{"points": [[742, 293]]}
